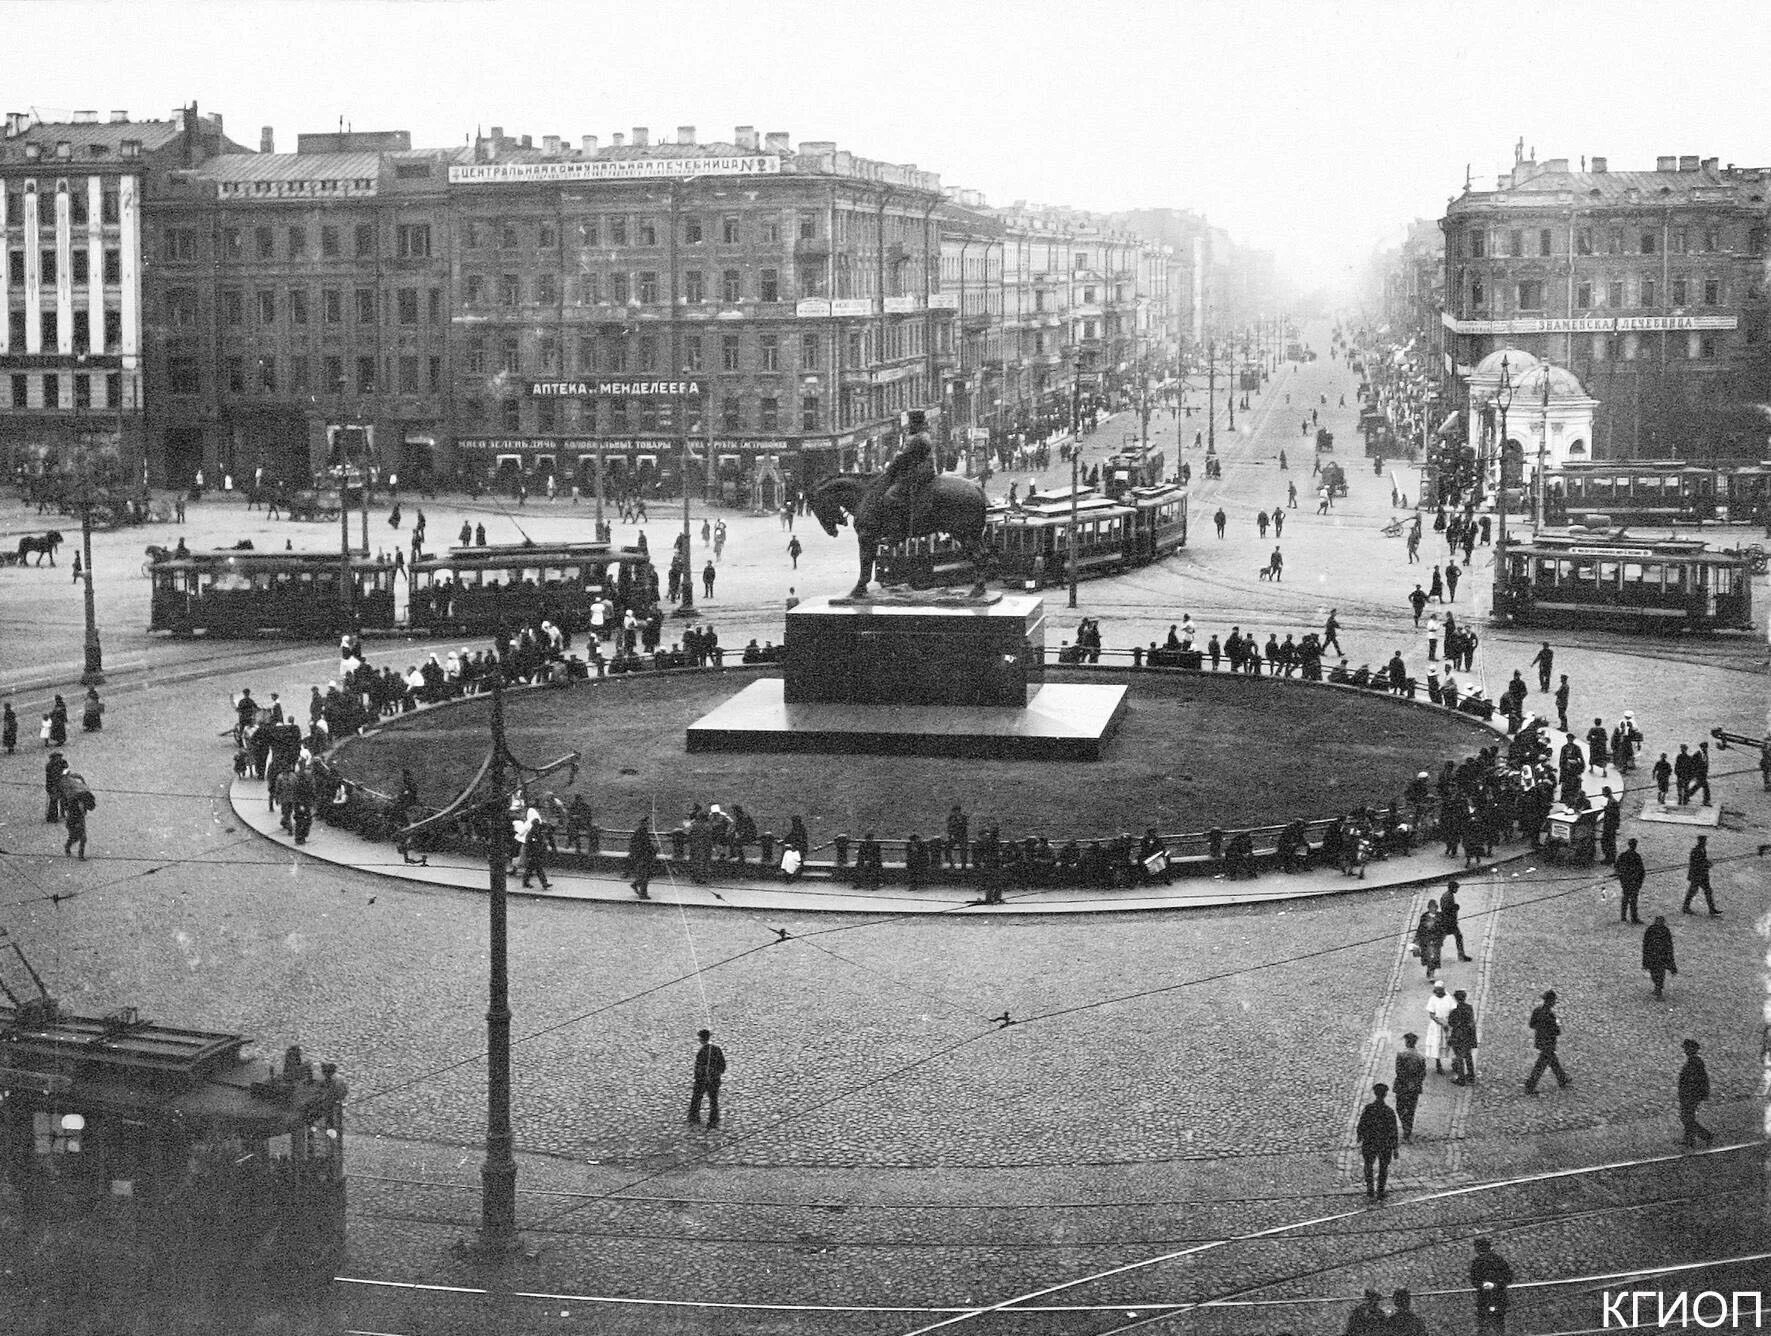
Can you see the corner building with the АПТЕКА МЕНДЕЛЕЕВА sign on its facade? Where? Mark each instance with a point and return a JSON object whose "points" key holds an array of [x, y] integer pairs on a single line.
{"points": [[796, 293]]}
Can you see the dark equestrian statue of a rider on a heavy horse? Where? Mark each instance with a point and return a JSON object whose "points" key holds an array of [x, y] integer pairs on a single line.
{"points": [[909, 501]]}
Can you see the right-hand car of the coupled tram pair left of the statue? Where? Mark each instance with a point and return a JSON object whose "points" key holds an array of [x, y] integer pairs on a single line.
{"points": [[509, 586]]}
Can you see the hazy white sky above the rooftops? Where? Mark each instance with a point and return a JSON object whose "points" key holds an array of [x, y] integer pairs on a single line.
{"points": [[1310, 128]]}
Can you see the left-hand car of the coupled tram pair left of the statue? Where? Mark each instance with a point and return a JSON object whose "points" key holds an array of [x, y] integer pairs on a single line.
{"points": [[235, 594]]}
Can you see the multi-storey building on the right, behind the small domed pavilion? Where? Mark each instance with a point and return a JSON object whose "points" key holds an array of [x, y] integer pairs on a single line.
{"points": [[1648, 286]]}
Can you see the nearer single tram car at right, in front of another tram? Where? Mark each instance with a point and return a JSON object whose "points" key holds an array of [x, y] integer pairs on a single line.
{"points": [[1620, 584]]}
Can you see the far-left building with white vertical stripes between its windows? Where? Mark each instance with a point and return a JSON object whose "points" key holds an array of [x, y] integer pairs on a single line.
{"points": [[72, 283]]}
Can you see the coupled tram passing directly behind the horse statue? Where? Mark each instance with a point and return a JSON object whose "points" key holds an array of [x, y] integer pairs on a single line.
{"points": [[1030, 545]]}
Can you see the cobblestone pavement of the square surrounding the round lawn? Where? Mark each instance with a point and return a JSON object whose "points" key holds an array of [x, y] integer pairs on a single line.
{"points": [[1164, 1082]]}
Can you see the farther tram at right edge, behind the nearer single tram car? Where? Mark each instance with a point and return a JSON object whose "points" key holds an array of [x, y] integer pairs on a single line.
{"points": [[1634, 492]]}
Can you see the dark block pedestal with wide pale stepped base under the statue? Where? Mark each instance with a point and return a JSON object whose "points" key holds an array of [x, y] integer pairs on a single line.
{"points": [[916, 680]]}
